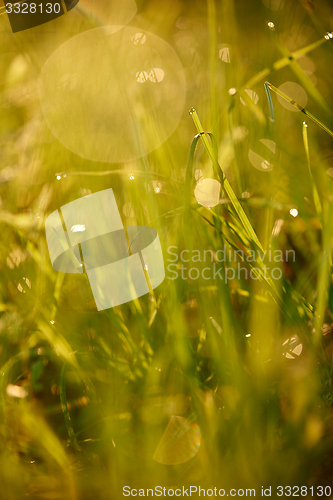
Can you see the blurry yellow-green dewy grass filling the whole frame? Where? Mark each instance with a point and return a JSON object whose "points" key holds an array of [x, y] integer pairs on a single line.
{"points": [[100, 388]]}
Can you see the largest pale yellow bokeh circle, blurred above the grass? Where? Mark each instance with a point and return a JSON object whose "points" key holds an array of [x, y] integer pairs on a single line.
{"points": [[113, 95]]}
